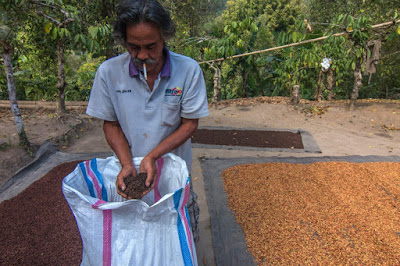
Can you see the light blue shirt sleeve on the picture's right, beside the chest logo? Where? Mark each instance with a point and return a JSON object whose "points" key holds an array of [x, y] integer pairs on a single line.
{"points": [[194, 103]]}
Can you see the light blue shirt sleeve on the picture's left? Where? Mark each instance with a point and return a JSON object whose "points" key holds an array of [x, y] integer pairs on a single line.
{"points": [[100, 103]]}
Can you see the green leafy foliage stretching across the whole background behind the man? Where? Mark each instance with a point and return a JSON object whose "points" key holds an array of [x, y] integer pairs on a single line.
{"points": [[208, 30]]}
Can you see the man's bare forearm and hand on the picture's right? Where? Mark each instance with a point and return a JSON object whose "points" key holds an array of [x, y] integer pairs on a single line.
{"points": [[173, 141]]}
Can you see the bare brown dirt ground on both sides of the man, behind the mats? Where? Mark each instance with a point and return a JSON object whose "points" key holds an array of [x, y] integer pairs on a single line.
{"points": [[372, 129]]}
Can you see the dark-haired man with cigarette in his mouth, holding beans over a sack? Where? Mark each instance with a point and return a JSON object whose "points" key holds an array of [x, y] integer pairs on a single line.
{"points": [[149, 97]]}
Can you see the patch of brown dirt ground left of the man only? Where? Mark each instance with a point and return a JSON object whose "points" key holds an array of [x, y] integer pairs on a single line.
{"points": [[40, 125]]}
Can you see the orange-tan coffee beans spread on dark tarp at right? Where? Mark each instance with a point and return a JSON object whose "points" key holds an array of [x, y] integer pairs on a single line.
{"points": [[329, 213]]}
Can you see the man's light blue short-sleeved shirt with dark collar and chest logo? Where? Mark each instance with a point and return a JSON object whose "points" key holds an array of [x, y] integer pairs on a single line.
{"points": [[146, 116]]}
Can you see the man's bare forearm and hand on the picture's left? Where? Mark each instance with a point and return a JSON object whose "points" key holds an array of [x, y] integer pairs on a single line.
{"points": [[116, 139]]}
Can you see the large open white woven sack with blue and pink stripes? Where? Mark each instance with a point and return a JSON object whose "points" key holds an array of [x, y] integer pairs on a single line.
{"points": [[115, 231]]}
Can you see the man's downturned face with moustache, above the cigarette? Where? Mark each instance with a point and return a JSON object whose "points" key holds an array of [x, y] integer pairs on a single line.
{"points": [[145, 45]]}
